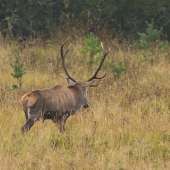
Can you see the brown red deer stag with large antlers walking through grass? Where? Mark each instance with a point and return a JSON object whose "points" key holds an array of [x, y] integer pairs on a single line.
{"points": [[59, 102]]}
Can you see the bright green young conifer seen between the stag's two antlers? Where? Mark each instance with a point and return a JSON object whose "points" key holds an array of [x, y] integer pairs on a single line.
{"points": [[91, 46]]}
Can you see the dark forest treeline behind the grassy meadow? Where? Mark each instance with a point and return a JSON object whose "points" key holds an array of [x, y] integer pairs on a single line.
{"points": [[122, 18]]}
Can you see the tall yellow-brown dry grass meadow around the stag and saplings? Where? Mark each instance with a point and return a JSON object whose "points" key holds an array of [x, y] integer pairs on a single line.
{"points": [[126, 127]]}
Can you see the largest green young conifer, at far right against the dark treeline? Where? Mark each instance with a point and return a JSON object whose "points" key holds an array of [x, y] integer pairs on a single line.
{"points": [[151, 41]]}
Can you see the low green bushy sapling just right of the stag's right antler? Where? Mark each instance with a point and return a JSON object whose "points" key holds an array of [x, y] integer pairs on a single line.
{"points": [[118, 69]]}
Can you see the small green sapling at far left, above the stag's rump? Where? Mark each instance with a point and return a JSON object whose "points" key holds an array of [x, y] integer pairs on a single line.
{"points": [[19, 71]]}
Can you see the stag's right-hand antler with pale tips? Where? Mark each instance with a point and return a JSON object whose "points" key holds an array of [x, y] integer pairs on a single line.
{"points": [[95, 74]]}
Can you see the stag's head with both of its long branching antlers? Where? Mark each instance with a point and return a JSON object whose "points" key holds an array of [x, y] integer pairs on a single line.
{"points": [[82, 87]]}
